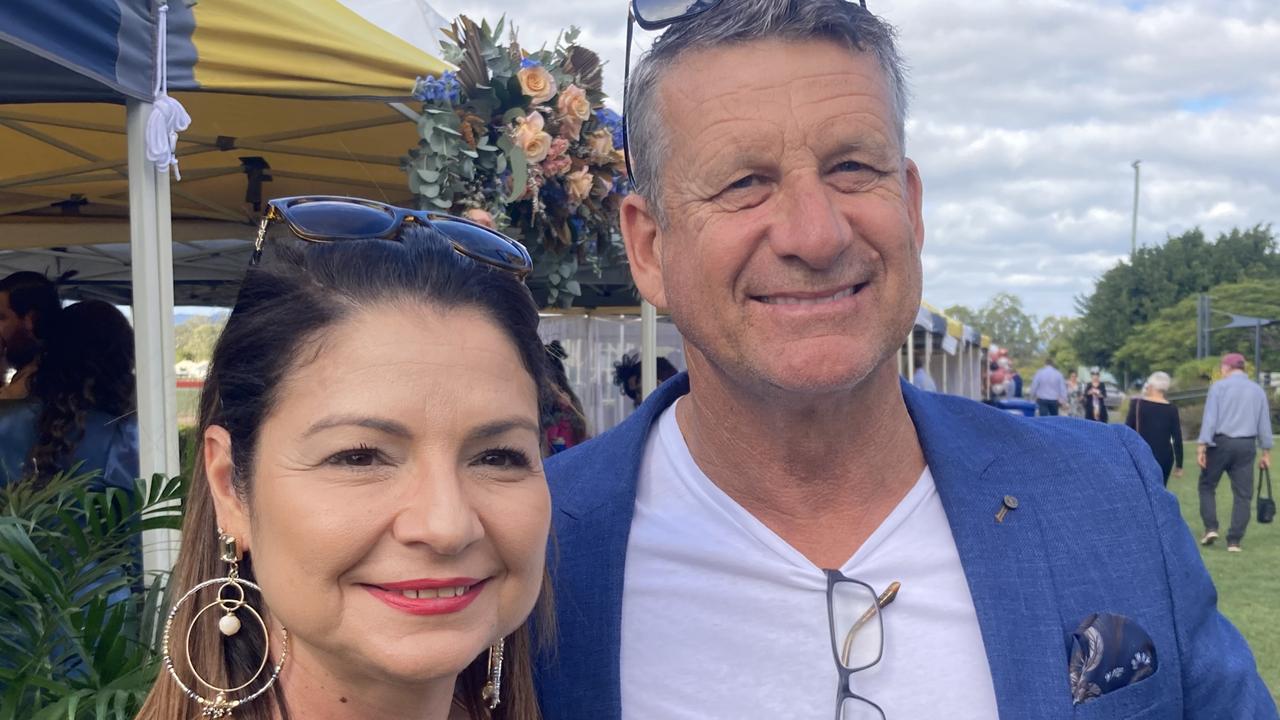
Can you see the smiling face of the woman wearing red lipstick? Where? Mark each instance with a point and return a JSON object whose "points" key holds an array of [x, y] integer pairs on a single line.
{"points": [[399, 514]]}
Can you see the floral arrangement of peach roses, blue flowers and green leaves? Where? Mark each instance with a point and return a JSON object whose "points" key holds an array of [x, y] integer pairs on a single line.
{"points": [[522, 142]]}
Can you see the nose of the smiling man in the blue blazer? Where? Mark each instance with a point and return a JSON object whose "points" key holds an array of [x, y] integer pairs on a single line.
{"points": [[810, 225]]}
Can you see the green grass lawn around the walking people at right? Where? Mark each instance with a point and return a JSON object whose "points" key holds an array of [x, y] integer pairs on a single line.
{"points": [[1249, 584]]}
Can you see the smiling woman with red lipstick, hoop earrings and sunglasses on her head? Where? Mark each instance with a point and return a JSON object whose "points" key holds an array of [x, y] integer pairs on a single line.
{"points": [[371, 439]]}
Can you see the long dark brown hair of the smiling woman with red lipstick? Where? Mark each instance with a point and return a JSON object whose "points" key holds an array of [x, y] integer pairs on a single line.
{"points": [[285, 308]]}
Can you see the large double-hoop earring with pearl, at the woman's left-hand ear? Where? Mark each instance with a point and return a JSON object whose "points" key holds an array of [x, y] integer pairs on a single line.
{"points": [[222, 705]]}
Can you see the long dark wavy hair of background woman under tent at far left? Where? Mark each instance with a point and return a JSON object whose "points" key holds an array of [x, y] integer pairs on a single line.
{"points": [[88, 366]]}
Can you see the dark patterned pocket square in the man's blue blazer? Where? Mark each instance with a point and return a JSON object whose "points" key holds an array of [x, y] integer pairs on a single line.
{"points": [[1109, 653]]}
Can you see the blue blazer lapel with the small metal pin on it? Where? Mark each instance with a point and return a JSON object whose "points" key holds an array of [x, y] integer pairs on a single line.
{"points": [[1005, 563]]}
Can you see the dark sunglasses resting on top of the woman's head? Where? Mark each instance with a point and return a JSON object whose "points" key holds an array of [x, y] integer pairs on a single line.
{"points": [[324, 218]]}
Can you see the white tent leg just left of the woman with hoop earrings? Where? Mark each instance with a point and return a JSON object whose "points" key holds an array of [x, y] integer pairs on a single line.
{"points": [[152, 248]]}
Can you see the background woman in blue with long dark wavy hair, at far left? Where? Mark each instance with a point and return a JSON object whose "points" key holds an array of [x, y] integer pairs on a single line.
{"points": [[80, 414]]}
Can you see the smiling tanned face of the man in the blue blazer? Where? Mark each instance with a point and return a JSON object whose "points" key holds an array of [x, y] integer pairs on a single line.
{"points": [[792, 256]]}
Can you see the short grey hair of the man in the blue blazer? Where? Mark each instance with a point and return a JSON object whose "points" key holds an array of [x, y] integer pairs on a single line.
{"points": [[737, 22]]}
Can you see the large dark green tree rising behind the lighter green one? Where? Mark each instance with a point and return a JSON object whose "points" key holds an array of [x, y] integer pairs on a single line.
{"points": [[1132, 294]]}
